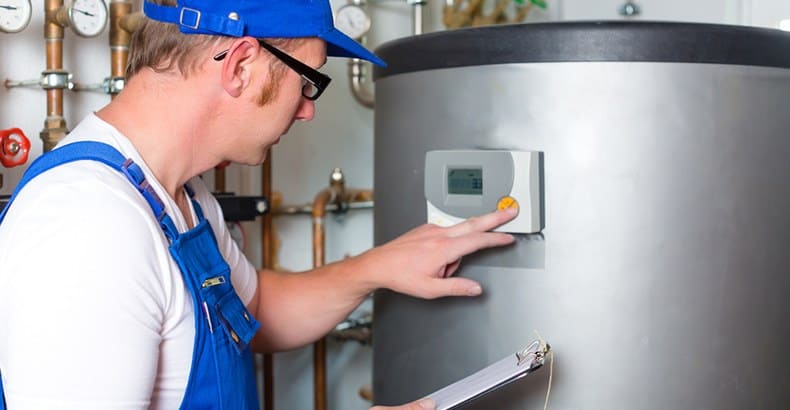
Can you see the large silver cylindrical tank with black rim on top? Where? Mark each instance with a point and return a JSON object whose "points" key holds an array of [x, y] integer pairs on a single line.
{"points": [[662, 277]]}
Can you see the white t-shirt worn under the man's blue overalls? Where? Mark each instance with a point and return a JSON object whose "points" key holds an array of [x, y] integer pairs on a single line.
{"points": [[94, 313]]}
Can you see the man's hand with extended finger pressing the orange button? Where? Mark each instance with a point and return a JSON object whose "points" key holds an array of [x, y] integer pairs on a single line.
{"points": [[420, 262]]}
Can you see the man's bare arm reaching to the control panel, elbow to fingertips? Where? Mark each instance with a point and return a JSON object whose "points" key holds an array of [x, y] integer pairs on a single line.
{"points": [[297, 308]]}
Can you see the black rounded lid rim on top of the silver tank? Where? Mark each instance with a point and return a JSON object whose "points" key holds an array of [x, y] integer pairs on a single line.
{"points": [[586, 42]]}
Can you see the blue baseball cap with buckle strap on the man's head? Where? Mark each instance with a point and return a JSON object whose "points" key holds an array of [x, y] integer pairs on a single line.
{"points": [[261, 19]]}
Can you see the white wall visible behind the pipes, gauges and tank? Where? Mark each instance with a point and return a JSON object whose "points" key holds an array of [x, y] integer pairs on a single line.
{"points": [[340, 136]]}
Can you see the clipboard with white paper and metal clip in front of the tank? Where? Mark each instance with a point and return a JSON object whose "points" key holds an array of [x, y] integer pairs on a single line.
{"points": [[498, 374]]}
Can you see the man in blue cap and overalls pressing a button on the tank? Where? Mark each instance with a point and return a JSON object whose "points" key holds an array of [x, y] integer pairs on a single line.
{"points": [[120, 286]]}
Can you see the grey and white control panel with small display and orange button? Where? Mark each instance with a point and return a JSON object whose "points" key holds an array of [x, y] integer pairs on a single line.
{"points": [[460, 184]]}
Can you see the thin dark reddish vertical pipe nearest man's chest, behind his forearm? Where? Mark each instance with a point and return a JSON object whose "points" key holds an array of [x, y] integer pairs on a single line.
{"points": [[267, 252]]}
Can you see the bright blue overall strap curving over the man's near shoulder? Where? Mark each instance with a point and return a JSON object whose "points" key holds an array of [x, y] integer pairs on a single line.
{"points": [[106, 154]]}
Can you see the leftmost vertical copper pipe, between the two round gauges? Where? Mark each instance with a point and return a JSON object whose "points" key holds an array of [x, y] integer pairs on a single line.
{"points": [[54, 125]]}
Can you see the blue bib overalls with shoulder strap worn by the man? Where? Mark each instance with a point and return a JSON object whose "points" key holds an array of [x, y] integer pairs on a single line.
{"points": [[222, 375]]}
